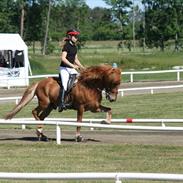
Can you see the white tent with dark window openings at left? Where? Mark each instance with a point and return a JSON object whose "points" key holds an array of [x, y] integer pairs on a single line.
{"points": [[14, 62]]}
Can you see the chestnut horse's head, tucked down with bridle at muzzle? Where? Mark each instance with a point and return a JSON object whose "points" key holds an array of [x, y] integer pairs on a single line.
{"points": [[112, 79]]}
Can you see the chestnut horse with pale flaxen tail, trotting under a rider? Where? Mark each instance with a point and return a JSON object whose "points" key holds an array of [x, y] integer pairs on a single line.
{"points": [[86, 94]]}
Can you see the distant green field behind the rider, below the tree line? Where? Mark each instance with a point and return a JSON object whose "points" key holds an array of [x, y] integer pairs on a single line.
{"points": [[95, 53]]}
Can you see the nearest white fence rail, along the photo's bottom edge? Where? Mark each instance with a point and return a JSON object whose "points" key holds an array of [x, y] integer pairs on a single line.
{"points": [[118, 177]]}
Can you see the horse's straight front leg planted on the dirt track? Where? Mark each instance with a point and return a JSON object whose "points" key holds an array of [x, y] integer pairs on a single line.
{"points": [[79, 137]]}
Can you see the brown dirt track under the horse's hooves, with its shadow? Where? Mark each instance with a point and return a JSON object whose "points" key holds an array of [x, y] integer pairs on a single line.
{"points": [[97, 137]]}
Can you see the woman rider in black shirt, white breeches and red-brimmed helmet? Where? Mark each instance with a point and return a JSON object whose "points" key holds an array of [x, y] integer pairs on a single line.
{"points": [[69, 63]]}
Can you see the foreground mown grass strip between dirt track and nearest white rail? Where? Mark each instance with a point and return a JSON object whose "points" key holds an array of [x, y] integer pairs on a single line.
{"points": [[48, 157]]}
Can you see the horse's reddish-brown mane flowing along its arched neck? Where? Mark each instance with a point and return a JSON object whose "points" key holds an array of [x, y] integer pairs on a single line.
{"points": [[93, 73]]}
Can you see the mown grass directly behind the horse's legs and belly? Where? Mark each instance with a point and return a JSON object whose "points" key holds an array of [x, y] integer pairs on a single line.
{"points": [[163, 105]]}
